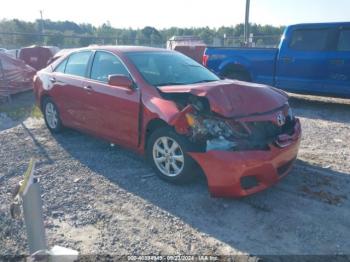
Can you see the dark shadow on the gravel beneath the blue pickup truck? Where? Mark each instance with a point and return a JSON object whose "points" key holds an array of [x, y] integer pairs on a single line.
{"points": [[324, 108]]}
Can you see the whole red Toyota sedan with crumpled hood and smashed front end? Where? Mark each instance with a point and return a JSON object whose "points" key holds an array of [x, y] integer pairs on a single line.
{"points": [[243, 136]]}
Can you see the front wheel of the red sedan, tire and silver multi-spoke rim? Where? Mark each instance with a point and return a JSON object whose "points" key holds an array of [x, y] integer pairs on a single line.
{"points": [[164, 160]]}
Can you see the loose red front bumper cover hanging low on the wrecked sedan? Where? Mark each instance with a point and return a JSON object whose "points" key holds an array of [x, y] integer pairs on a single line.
{"points": [[242, 173]]}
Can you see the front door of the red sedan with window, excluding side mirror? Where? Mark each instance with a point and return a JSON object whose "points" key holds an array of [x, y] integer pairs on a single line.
{"points": [[113, 111]]}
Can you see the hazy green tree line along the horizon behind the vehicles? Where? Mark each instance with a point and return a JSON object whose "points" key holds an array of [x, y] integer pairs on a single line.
{"points": [[16, 33]]}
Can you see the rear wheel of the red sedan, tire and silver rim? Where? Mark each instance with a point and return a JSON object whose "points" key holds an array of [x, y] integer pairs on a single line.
{"points": [[52, 116]]}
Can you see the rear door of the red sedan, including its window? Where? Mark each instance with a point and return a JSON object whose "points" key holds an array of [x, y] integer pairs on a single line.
{"points": [[68, 89]]}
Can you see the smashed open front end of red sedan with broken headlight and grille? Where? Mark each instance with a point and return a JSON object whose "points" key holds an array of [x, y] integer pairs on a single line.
{"points": [[214, 132]]}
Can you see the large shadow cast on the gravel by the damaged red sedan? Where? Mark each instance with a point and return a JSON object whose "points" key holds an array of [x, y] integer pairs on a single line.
{"points": [[306, 213]]}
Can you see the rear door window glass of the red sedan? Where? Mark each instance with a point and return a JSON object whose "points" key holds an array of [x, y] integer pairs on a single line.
{"points": [[77, 63]]}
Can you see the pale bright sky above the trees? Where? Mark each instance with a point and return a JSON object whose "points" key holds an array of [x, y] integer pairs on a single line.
{"points": [[179, 13]]}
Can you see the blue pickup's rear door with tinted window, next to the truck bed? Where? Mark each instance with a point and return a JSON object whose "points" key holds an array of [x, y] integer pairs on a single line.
{"points": [[302, 63]]}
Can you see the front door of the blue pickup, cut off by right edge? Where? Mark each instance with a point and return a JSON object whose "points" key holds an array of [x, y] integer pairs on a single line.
{"points": [[339, 64]]}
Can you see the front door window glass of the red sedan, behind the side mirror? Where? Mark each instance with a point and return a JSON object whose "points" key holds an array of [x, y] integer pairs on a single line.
{"points": [[106, 64]]}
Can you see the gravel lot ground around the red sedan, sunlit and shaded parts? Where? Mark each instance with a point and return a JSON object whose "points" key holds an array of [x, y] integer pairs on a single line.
{"points": [[106, 200]]}
